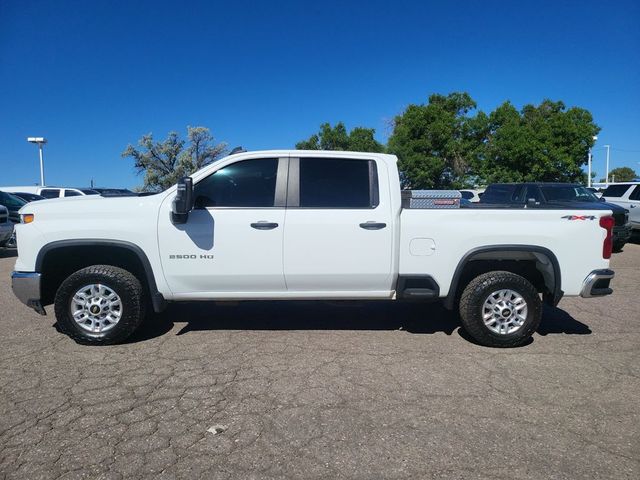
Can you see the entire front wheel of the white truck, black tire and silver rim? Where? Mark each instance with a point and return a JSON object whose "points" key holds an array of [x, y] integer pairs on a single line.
{"points": [[100, 305]]}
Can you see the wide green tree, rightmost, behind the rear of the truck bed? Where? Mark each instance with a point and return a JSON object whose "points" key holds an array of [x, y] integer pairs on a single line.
{"points": [[546, 143]]}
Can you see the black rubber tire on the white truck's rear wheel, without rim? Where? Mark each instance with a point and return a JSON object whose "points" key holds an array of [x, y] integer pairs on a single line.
{"points": [[477, 292]]}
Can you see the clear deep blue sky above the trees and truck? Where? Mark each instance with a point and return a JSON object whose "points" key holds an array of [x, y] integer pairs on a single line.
{"points": [[94, 76]]}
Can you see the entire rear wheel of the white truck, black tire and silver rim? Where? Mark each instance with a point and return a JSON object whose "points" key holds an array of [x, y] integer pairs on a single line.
{"points": [[500, 309]]}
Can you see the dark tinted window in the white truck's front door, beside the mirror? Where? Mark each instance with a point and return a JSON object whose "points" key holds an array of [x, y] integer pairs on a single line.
{"points": [[249, 183]]}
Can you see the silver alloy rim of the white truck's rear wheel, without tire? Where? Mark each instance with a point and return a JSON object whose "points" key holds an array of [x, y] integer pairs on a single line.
{"points": [[504, 311]]}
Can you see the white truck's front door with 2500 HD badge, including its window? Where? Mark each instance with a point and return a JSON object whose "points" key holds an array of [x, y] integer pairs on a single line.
{"points": [[233, 239]]}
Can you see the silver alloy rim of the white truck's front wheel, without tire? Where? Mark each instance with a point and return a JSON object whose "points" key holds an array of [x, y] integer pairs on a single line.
{"points": [[96, 308]]}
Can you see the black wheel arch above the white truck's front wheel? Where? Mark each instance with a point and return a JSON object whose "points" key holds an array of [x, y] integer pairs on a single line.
{"points": [[130, 257]]}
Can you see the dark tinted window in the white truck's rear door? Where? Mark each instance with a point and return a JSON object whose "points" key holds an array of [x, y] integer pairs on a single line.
{"points": [[338, 183]]}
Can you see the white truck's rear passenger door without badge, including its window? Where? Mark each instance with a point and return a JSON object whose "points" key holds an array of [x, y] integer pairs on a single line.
{"points": [[339, 229]]}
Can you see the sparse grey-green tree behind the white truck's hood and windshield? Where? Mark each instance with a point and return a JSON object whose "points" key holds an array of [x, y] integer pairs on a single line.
{"points": [[163, 163]]}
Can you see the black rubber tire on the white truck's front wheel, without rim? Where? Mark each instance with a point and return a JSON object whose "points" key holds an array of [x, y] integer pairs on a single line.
{"points": [[127, 287]]}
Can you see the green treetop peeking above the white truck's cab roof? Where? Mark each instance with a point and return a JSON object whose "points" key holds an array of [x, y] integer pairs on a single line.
{"points": [[337, 138]]}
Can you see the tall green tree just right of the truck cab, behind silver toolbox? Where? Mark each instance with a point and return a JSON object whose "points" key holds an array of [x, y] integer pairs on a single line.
{"points": [[437, 143]]}
